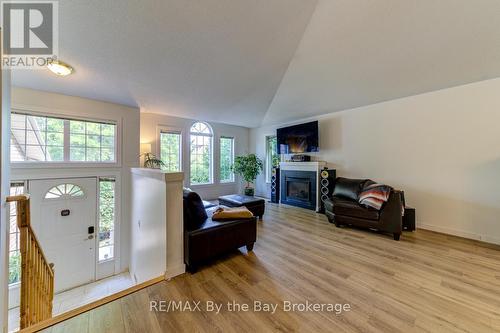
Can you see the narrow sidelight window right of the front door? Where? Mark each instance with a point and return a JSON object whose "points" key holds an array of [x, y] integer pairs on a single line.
{"points": [[107, 211]]}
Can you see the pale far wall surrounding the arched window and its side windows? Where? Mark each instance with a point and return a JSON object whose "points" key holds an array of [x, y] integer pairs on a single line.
{"points": [[150, 124]]}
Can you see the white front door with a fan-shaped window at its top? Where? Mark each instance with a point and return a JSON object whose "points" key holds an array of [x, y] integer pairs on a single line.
{"points": [[63, 216]]}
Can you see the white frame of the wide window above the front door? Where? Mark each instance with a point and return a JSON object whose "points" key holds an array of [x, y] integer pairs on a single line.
{"points": [[70, 164]]}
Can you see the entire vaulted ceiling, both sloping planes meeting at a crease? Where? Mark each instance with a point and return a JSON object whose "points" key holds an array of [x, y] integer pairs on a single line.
{"points": [[253, 62]]}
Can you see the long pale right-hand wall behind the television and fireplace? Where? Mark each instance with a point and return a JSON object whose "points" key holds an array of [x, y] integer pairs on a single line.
{"points": [[441, 148]]}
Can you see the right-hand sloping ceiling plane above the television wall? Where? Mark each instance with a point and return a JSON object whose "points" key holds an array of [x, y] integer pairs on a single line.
{"points": [[361, 52]]}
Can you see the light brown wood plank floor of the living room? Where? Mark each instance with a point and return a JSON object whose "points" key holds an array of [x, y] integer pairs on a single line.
{"points": [[427, 282]]}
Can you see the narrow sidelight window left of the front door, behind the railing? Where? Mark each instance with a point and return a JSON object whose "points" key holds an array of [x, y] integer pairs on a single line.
{"points": [[14, 251]]}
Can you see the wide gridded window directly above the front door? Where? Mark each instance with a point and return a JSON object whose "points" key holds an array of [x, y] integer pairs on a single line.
{"points": [[50, 139]]}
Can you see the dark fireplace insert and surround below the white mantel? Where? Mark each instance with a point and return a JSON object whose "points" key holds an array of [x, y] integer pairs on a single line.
{"points": [[298, 188]]}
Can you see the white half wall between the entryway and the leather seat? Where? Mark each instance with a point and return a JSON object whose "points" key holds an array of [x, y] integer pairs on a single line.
{"points": [[157, 233]]}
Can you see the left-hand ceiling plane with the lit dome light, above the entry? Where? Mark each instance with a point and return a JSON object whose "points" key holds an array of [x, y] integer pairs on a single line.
{"points": [[219, 60]]}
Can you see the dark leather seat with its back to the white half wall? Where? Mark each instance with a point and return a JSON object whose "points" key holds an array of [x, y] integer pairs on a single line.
{"points": [[205, 239]]}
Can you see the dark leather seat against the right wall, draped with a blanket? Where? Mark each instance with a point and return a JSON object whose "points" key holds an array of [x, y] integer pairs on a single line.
{"points": [[343, 208]]}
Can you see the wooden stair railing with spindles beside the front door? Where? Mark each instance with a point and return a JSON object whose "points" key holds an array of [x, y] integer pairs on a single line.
{"points": [[37, 275]]}
